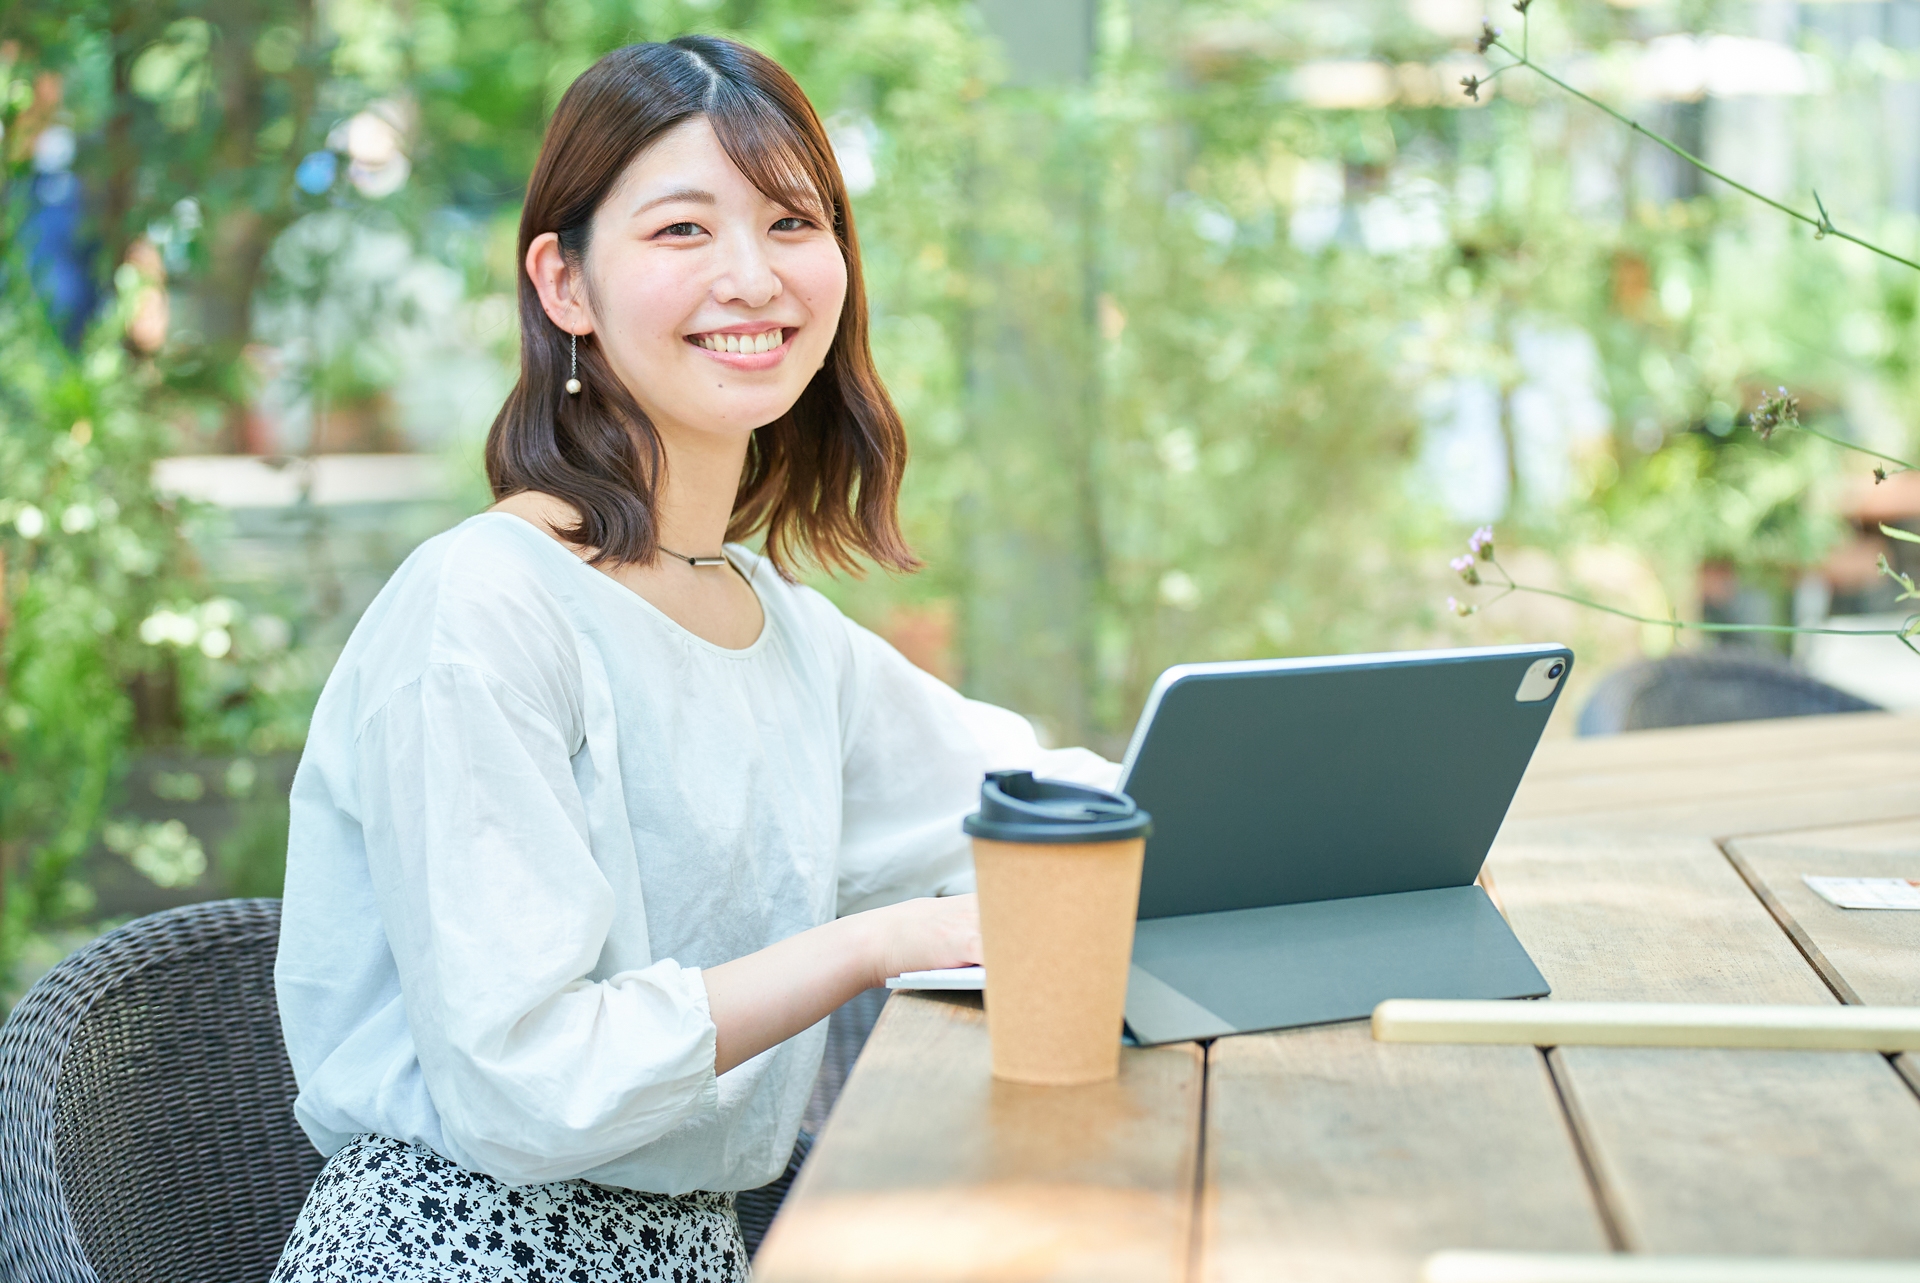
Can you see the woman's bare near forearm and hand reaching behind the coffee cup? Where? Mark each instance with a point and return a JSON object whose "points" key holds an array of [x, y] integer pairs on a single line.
{"points": [[771, 996]]}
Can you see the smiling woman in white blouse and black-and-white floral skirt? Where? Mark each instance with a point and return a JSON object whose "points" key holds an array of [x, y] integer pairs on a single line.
{"points": [[602, 815]]}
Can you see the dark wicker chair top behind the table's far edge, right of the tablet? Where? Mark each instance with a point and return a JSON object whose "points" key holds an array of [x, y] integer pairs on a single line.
{"points": [[1692, 690]]}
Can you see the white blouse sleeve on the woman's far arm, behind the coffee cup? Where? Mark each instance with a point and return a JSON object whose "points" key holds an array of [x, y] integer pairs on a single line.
{"points": [[915, 756]]}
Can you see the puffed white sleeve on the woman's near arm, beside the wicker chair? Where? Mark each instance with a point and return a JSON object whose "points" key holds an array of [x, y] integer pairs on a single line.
{"points": [[496, 911]]}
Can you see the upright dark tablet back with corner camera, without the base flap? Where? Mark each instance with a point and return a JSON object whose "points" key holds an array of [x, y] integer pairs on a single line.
{"points": [[1293, 781]]}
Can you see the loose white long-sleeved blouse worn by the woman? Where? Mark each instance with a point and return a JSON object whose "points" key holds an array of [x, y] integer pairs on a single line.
{"points": [[533, 808]]}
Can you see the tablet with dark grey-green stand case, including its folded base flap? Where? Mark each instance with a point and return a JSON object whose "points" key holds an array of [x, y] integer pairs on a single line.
{"points": [[1318, 831]]}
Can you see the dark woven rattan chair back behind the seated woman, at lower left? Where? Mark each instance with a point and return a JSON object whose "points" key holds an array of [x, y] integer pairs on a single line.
{"points": [[147, 1126]]}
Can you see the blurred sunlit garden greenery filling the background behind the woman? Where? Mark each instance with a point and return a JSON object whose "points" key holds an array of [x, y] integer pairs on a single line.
{"points": [[1216, 327]]}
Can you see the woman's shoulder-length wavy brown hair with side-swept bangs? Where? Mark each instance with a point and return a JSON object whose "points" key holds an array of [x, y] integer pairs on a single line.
{"points": [[823, 481]]}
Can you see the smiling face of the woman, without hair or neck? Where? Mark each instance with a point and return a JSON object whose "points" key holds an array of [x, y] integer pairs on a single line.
{"points": [[713, 303]]}
